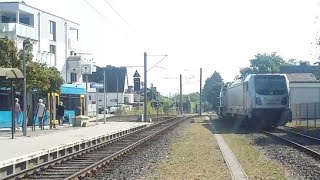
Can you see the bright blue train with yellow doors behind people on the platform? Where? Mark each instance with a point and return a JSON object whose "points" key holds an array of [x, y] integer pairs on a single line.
{"points": [[71, 95]]}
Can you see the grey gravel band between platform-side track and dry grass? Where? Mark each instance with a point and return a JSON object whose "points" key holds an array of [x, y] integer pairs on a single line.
{"points": [[139, 163]]}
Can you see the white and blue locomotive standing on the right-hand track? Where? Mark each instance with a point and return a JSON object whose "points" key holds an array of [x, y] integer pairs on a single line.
{"points": [[259, 99]]}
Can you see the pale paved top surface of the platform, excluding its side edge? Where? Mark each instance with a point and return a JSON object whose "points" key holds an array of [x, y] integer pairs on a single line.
{"points": [[46, 139]]}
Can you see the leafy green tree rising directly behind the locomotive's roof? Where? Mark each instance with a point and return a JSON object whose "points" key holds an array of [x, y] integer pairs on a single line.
{"points": [[263, 64]]}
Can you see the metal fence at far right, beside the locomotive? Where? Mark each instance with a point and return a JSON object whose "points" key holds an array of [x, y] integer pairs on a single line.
{"points": [[306, 114]]}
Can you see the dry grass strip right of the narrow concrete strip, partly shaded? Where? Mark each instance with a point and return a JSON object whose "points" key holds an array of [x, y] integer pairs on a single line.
{"points": [[253, 161]]}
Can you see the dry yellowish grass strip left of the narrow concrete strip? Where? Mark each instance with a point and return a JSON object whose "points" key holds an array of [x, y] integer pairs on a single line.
{"points": [[194, 155]]}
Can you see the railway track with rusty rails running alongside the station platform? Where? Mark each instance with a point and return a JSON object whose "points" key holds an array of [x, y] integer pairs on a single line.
{"points": [[86, 162]]}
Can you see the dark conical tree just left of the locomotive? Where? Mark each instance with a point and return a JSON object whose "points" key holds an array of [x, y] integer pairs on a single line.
{"points": [[212, 89]]}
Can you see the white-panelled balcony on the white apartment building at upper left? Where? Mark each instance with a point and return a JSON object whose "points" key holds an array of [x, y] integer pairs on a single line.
{"points": [[21, 30]]}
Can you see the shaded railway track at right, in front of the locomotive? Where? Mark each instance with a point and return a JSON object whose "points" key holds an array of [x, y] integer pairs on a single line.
{"points": [[307, 144]]}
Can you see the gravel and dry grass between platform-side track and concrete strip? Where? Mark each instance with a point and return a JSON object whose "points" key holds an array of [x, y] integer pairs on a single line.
{"points": [[182, 153]]}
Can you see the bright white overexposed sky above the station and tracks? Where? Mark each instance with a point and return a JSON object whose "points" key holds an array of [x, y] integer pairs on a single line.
{"points": [[216, 35]]}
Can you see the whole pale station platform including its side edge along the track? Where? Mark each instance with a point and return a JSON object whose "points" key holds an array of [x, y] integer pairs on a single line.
{"points": [[39, 147]]}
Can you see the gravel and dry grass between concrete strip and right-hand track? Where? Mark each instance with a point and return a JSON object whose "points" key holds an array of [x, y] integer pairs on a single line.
{"points": [[293, 163]]}
